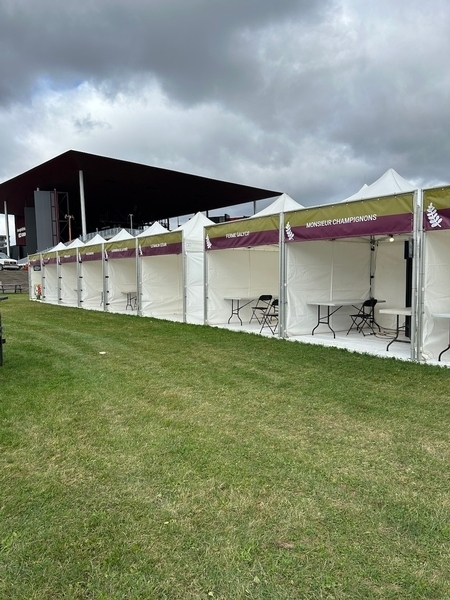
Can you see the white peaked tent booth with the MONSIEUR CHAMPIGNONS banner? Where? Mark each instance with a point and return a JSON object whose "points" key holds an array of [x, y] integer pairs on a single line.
{"points": [[350, 250]]}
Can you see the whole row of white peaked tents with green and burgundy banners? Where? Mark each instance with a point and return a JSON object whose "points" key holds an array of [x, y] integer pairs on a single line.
{"points": [[390, 241]]}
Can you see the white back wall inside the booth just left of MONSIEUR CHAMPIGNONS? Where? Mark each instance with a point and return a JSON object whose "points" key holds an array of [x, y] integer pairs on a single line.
{"points": [[240, 273]]}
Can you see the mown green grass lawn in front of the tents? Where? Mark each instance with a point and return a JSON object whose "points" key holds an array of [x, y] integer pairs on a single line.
{"points": [[148, 459]]}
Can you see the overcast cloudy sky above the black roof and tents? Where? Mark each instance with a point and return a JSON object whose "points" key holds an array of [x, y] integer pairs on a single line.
{"points": [[313, 98]]}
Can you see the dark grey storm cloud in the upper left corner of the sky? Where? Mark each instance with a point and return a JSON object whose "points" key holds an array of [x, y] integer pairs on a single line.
{"points": [[196, 48]]}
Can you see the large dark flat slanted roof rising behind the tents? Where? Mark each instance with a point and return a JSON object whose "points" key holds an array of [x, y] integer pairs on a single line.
{"points": [[115, 188]]}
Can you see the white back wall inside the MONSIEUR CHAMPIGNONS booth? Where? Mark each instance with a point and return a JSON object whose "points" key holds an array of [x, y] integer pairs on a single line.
{"points": [[322, 271]]}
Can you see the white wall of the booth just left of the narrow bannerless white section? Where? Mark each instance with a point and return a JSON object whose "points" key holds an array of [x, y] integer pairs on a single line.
{"points": [[162, 286]]}
